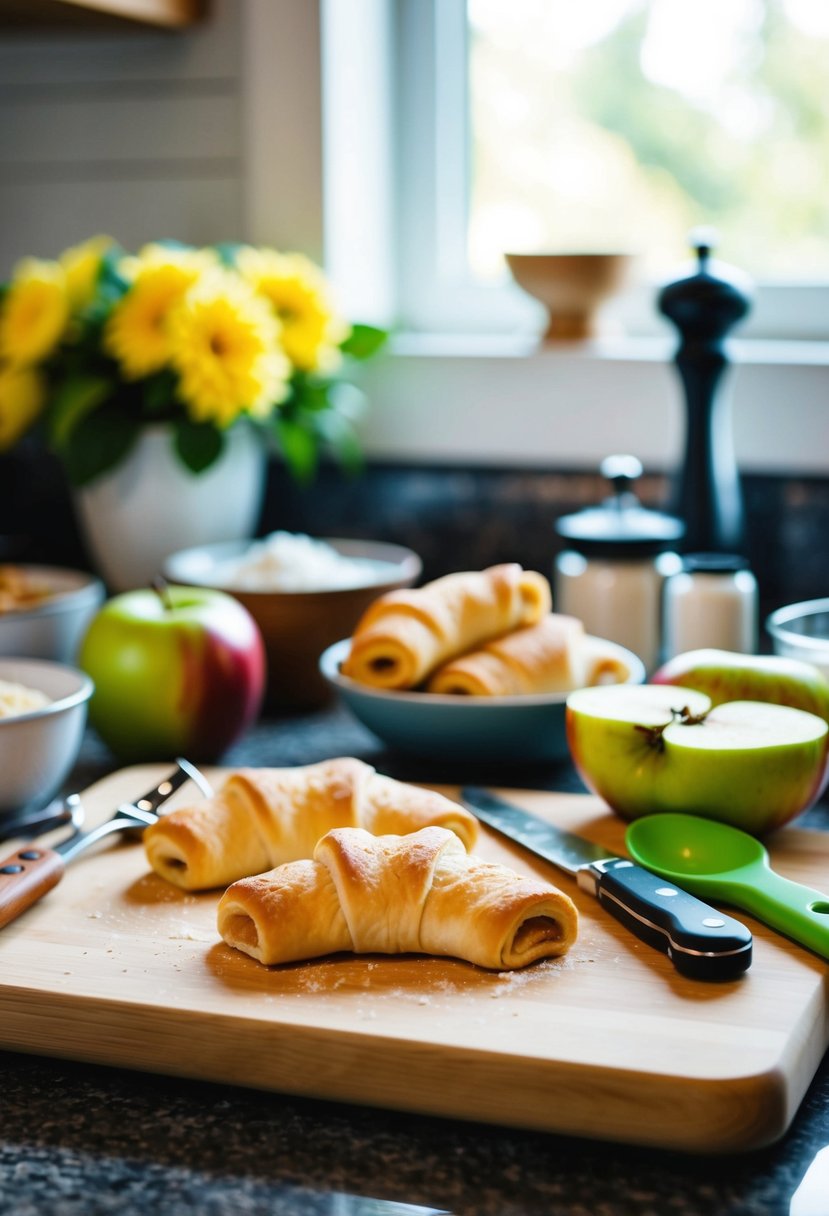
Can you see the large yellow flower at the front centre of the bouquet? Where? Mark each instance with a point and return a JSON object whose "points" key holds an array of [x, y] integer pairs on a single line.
{"points": [[225, 346]]}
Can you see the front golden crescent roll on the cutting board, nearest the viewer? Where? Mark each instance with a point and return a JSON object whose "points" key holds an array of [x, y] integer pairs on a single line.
{"points": [[415, 894]]}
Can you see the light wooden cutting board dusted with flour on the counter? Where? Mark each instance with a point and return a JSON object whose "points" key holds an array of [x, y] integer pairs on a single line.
{"points": [[117, 967]]}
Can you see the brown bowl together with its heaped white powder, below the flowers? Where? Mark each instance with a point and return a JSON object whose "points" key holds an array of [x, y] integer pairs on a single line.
{"points": [[304, 593]]}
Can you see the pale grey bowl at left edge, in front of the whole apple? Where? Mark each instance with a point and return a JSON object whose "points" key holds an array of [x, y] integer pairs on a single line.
{"points": [[40, 748]]}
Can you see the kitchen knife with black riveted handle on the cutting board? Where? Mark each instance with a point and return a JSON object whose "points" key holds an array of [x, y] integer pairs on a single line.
{"points": [[701, 942]]}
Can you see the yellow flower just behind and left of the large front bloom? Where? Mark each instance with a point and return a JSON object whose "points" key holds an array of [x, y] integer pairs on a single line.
{"points": [[137, 334]]}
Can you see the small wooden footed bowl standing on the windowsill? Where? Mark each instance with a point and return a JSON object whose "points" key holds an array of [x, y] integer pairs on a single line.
{"points": [[572, 286]]}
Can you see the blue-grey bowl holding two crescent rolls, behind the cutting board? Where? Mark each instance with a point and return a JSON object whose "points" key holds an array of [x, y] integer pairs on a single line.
{"points": [[501, 730]]}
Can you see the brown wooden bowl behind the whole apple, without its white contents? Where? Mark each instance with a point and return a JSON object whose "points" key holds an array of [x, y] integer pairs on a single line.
{"points": [[297, 627]]}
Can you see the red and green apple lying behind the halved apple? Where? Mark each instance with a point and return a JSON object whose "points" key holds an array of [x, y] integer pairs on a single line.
{"points": [[725, 675]]}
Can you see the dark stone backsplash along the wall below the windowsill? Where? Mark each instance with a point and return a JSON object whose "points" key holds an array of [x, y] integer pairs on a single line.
{"points": [[455, 519]]}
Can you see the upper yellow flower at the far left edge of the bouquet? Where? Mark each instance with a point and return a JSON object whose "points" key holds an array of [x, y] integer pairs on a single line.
{"points": [[35, 312]]}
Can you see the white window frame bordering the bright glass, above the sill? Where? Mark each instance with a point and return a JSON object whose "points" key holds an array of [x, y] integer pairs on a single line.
{"points": [[437, 289]]}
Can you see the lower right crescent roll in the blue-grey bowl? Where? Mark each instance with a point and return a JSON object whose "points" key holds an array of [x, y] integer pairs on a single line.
{"points": [[554, 656]]}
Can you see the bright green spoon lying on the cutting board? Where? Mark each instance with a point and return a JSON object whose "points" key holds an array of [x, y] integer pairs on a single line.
{"points": [[718, 862]]}
